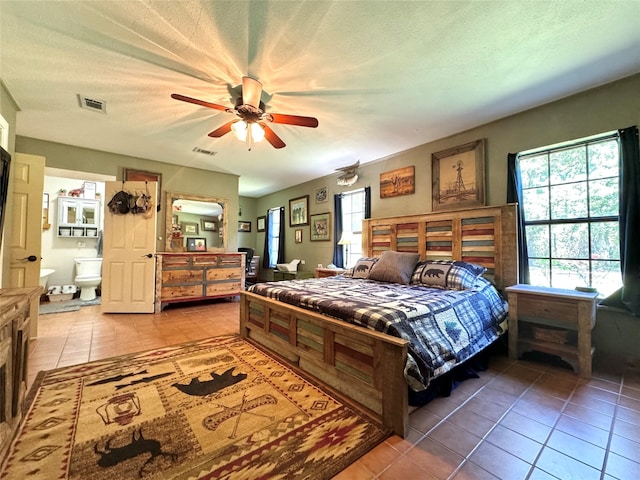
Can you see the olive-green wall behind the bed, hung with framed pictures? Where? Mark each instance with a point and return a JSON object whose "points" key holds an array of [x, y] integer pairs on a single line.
{"points": [[610, 107]]}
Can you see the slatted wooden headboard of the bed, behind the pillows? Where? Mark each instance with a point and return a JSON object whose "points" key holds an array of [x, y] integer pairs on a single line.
{"points": [[483, 235]]}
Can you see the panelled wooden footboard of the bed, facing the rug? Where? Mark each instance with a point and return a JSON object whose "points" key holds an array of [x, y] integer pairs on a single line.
{"points": [[361, 364]]}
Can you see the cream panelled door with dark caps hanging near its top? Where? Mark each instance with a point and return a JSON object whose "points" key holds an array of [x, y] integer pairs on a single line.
{"points": [[128, 261]]}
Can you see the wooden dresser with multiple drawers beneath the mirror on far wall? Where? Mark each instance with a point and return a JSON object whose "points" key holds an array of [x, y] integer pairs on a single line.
{"points": [[183, 277]]}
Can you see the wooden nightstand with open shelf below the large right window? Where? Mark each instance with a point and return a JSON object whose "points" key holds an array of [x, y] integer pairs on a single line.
{"points": [[547, 319]]}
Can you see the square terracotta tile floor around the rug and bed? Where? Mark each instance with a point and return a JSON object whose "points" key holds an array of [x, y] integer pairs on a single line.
{"points": [[520, 420]]}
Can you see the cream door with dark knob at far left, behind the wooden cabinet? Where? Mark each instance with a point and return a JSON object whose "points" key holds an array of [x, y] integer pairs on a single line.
{"points": [[25, 242]]}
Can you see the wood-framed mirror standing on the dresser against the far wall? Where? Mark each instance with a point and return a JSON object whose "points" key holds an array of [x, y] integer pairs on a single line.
{"points": [[190, 218]]}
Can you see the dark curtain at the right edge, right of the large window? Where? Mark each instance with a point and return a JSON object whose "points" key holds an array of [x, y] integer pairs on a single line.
{"points": [[628, 297]]}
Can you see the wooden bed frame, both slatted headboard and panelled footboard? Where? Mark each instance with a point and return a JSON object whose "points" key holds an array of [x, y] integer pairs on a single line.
{"points": [[364, 365]]}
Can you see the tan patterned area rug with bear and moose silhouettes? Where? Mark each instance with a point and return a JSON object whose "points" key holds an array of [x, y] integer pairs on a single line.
{"points": [[217, 408]]}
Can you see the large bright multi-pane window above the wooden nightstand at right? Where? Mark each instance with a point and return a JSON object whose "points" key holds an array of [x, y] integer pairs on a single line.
{"points": [[570, 202]]}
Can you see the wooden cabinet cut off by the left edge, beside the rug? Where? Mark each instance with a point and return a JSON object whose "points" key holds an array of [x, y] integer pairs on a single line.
{"points": [[15, 319]]}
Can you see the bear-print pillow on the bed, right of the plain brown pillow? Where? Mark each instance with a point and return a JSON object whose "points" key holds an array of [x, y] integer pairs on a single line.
{"points": [[448, 274]]}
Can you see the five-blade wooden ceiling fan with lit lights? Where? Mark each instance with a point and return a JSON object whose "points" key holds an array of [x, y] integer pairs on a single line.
{"points": [[252, 122]]}
